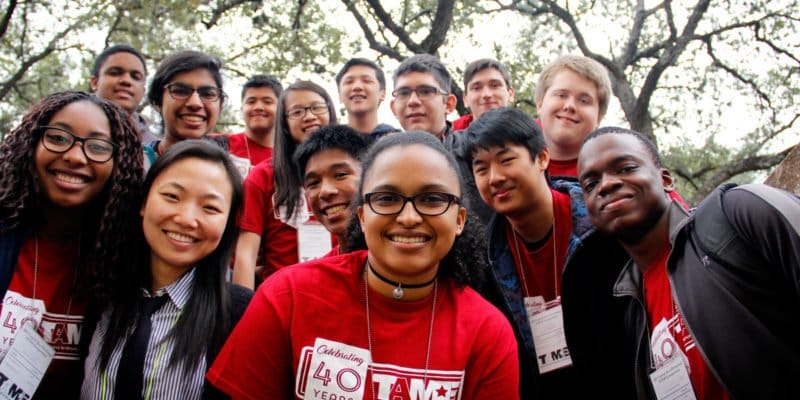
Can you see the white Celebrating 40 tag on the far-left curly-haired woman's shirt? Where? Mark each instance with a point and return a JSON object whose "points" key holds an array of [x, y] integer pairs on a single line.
{"points": [[18, 311]]}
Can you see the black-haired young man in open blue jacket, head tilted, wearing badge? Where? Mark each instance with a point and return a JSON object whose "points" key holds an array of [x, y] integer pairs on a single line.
{"points": [[529, 238]]}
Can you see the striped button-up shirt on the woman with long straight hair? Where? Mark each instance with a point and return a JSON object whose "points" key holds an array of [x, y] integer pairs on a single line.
{"points": [[160, 380]]}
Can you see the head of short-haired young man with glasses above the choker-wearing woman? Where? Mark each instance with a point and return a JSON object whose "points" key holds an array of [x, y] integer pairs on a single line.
{"points": [[421, 98]]}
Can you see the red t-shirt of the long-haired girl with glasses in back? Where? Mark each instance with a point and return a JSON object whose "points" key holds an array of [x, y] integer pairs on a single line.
{"points": [[278, 240]]}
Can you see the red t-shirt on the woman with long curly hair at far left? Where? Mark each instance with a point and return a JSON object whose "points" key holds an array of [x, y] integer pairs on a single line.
{"points": [[63, 314]]}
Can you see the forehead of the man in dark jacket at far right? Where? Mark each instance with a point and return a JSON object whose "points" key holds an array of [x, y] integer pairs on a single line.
{"points": [[604, 150]]}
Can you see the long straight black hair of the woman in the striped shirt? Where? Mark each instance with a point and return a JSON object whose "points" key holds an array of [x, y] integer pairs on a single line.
{"points": [[205, 319]]}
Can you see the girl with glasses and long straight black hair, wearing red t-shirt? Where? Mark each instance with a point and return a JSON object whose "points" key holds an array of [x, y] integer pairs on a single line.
{"points": [[275, 208]]}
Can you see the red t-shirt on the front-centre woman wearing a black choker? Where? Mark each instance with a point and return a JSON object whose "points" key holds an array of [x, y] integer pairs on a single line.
{"points": [[270, 354]]}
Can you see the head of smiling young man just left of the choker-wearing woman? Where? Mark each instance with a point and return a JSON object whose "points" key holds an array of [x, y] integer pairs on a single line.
{"points": [[330, 163]]}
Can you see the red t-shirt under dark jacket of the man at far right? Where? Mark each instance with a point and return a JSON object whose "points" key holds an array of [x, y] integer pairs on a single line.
{"points": [[660, 306]]}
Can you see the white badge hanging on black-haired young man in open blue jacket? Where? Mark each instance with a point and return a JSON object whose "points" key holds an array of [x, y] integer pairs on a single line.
{"points": [[547, 325]]}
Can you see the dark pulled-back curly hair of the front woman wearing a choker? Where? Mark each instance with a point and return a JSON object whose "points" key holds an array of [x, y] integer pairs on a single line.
{"points": [[466, 262]]}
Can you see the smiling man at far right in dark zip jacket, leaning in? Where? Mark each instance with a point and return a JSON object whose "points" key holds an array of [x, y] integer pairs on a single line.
{"points": [[711, 299]]}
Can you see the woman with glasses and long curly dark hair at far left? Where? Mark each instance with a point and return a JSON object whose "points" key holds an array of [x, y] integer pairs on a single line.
{"points": [[68, 172]]}
